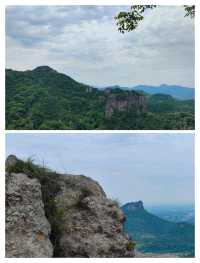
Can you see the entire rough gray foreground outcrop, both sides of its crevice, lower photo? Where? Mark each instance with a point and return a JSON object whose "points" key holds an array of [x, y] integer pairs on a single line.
{"points": [[76, 220]]}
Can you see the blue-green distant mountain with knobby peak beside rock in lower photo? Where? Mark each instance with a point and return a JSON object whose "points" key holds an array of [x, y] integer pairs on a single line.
{"points": [[155, 235]]}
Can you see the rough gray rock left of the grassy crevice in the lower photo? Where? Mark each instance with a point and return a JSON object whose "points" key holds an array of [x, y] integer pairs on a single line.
{"points": [[27, 229]]}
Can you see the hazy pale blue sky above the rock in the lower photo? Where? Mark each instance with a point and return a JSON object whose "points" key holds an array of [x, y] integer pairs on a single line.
{"points": [[154, 168]]}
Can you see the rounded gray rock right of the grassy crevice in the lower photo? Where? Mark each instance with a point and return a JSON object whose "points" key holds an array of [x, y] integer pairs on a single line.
{"points": [[92, 224]]}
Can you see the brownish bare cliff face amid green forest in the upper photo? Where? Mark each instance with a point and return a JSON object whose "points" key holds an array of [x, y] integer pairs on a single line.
{"points": [[124, 102]]}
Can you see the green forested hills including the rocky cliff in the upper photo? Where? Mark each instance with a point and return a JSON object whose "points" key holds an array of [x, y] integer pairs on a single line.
{"points": [[45, 99]]}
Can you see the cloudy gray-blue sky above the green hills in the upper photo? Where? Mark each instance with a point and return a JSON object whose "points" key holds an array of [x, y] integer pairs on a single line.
{"points": [[84, 43]]}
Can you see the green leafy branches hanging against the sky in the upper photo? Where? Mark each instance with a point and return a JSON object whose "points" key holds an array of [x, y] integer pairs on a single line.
{"points": [[129, 21]]}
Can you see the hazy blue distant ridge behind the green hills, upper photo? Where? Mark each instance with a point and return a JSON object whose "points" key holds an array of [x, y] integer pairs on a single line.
{"points": [[175, 91]]}
